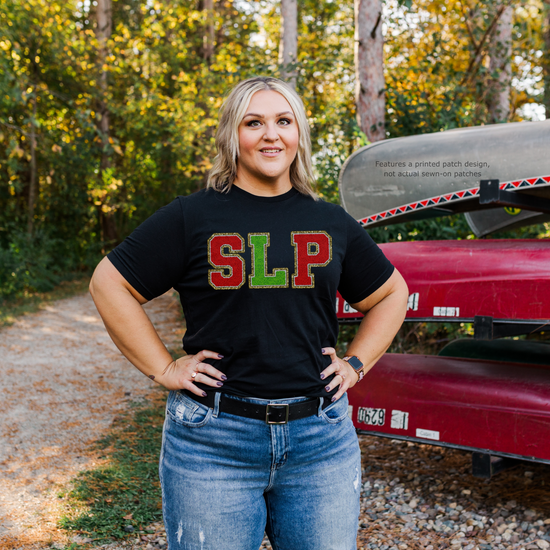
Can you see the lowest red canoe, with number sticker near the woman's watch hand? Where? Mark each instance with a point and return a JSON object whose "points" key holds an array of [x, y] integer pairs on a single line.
{"points": [[488, 406]]}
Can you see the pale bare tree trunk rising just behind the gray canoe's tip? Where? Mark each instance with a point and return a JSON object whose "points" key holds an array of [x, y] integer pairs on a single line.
{"points": [[369, 69]]}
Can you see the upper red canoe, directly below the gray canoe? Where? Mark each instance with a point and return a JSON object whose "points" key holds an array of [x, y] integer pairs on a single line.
{"points": [[457, 280]]}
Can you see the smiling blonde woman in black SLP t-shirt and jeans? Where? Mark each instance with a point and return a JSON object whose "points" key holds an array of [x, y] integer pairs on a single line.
{"points": [[257, 434]]}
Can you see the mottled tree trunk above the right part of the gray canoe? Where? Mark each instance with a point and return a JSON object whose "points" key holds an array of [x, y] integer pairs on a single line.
{"points": [[500, 53]]}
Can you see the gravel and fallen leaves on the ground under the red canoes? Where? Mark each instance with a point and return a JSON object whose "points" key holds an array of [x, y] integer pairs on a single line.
{"points": [[437, 503]]}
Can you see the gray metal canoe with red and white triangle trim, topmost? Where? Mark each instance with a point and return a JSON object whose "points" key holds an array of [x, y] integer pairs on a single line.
{"points": [[428, 175]]}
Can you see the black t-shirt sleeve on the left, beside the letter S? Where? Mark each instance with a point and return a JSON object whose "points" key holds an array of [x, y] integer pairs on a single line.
{"points": [[152, 259]]}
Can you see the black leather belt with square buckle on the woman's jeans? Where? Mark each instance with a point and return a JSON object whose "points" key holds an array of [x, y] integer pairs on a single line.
{"points": [[271, 414]]}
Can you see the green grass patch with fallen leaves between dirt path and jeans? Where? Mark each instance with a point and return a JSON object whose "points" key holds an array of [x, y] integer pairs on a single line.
{"points": [[125, 490]]}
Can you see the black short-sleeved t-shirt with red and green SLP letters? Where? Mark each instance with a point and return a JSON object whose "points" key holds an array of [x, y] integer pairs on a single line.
{"points": [[257, 278]]}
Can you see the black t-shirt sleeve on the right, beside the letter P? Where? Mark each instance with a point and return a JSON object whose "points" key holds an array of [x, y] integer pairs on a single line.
{"points": [[365, 268]]}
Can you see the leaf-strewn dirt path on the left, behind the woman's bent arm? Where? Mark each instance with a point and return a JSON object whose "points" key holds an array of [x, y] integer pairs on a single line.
{"points": [[62, 382]]}
